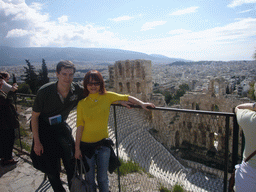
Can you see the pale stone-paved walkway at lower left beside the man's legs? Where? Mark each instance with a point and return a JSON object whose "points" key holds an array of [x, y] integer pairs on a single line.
{"points": [[23, 177]]}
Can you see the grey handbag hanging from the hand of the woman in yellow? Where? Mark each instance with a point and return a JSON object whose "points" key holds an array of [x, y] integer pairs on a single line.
{"points": [[79, 182]]}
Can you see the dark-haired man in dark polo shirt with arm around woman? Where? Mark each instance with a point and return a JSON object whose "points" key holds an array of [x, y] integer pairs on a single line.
{"points": [[51, 134]]}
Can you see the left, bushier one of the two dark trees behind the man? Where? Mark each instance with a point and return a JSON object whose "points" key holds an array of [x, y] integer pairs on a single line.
{"points": [[31, 77]]}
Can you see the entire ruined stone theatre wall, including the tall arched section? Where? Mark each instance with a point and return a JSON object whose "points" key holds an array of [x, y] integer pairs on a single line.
{"points": [[205, 133]]}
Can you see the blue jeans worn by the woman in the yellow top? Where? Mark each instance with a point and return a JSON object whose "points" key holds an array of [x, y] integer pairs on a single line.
{"points": [[101, 159]]}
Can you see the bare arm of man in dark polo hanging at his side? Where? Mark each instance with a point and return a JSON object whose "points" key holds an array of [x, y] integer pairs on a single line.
{"points": [[38, 147]]}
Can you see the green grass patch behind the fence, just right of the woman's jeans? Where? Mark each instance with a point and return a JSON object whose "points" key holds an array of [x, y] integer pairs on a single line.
{"points": [[129, 167]]}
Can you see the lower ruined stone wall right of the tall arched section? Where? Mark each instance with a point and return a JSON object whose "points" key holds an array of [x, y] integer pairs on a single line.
{"points": [[205, 132]]}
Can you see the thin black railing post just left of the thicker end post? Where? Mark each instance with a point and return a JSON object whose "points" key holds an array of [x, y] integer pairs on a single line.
{"points": [[226, 154]]}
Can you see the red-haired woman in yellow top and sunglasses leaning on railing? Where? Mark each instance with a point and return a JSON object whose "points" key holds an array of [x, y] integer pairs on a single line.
{"points": [[92, 129]]}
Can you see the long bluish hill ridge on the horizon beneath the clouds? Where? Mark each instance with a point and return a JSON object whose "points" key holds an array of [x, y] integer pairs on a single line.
{"points": [[16, 56]]}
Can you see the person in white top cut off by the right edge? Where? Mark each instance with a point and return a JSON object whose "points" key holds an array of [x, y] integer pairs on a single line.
{"points": [[245, 175]]}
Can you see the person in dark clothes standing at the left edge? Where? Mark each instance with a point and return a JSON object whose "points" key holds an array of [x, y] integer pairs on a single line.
{"points": [[7, 128]]}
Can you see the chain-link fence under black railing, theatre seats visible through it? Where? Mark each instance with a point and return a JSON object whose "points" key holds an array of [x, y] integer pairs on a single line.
{"points": [[169, 147]]}
